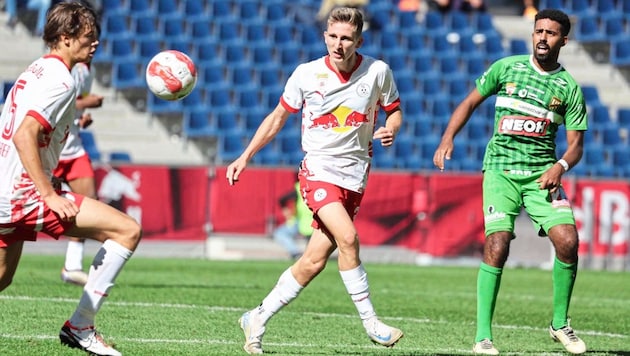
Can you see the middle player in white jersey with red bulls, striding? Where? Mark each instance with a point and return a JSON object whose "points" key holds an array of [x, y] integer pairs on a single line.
{"points": [[339, 95]]}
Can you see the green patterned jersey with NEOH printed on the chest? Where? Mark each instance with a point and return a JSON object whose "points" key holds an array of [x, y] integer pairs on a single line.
{"points": [[530, 106]]}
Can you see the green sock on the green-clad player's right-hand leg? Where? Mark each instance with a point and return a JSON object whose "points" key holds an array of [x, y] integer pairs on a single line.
{"points": [[563, 281]]}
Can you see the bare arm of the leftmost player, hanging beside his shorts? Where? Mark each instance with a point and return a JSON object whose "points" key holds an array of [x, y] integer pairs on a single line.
{"points": [[26, 140]]}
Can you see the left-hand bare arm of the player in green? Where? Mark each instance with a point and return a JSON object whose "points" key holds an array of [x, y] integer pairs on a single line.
{"points": [[458, 119]]}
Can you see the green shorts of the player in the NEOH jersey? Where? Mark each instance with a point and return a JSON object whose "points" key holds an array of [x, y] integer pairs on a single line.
{"points": [[505, 192]]}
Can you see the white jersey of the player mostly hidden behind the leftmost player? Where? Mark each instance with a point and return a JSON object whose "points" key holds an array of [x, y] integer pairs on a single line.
{"points": [[83, 78]]}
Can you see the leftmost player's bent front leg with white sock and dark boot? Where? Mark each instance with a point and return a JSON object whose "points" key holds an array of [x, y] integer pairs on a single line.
{"points": [[120, 235]]}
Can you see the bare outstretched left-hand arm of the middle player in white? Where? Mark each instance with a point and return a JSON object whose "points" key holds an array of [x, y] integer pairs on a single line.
{"points": [[268, 129]]}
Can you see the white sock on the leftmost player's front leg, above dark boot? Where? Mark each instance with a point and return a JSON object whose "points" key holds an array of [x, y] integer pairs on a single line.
{"points": [[108, 262]]}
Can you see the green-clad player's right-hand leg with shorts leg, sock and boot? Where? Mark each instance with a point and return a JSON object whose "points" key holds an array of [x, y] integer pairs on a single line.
{"points": [[559, 225]]}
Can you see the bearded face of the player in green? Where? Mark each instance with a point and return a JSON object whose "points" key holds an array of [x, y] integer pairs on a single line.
{"points": [[547, 40]]}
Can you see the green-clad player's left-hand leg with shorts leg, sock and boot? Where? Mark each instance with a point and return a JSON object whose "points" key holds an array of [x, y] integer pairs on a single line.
{"points": [[501, 205]]}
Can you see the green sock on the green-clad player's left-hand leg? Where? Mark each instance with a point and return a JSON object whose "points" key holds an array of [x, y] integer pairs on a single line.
{"points": [[488, 282]]}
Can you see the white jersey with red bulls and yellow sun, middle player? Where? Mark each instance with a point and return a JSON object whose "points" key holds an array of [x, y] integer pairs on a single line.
{"points": [[339, 115]]}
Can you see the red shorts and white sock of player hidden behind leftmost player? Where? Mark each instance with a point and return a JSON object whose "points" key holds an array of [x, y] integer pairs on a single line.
{"points": [[72, 271]]}
